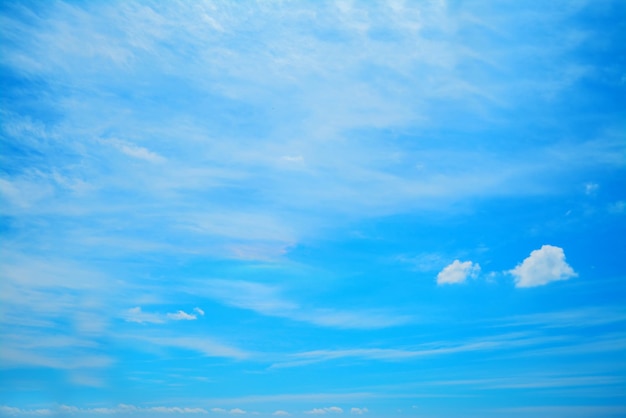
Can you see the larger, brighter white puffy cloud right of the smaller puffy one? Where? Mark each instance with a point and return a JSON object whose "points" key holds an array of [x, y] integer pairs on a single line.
{"points": [[543, 266]]}
